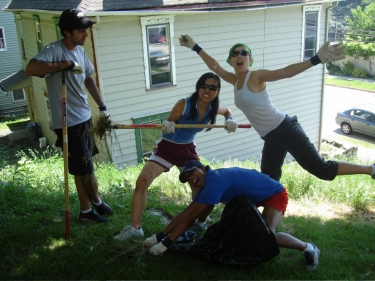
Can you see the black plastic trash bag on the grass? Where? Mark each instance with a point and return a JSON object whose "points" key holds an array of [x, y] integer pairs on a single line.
{"points": [[241, 237]]}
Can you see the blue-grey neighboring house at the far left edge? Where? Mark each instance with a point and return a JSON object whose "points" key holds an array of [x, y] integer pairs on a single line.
{"points": [[12, 100]]}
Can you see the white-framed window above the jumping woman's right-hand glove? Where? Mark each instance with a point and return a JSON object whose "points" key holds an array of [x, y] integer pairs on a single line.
{"points": [[310, 31]]}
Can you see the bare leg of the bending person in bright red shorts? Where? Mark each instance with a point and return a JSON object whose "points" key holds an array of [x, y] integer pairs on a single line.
{"points": [[273, 218]]}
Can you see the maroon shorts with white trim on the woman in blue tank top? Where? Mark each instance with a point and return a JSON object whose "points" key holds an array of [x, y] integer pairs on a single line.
{"points": [[167, 153]]}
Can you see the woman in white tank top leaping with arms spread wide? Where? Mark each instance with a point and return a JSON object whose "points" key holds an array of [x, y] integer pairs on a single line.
{"points": [[280, 132]]}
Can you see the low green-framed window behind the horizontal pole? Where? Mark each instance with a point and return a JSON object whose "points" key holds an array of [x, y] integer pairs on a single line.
{"points": [[146, 138]]}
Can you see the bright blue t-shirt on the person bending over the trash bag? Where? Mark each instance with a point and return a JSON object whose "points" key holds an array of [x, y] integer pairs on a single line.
{"points": [[222, 185]]}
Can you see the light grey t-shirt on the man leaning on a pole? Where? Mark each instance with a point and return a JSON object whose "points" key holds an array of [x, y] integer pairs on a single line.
{"points": [[78, 108]]}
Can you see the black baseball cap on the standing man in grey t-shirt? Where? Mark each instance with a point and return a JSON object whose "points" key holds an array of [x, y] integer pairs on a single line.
{"points": [[74, 19]]}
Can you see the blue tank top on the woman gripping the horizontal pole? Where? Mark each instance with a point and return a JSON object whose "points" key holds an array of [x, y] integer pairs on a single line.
{"points": [[187, 135]]}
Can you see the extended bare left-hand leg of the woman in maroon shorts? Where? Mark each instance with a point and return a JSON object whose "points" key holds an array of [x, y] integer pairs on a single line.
{"points": [[149, 172]]}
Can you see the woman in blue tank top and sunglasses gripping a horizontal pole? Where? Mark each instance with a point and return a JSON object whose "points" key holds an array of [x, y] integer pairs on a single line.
{"points": [[177, 145]]}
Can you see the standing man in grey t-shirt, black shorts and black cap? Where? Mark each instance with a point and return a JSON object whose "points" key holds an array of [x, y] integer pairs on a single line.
{"points": [[68, 55]]}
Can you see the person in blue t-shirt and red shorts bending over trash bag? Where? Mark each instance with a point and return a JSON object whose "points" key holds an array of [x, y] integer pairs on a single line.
{"points": [[221, 186]]}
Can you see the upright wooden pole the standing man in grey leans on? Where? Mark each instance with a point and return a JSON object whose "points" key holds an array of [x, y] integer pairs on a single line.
{"points": [[66, 153]]}
